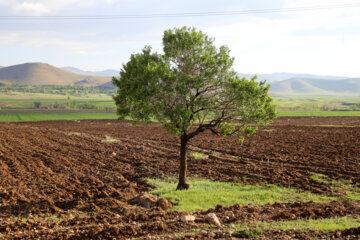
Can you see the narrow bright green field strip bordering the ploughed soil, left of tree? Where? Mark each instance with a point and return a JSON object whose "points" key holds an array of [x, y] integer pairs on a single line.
{"points": [[24, 117]]}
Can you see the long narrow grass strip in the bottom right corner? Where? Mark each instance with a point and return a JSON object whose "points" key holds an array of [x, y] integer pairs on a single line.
{"points": [[324, 225]]}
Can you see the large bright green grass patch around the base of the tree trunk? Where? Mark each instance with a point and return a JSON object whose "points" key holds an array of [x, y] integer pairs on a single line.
{"points": [[204, 194]]}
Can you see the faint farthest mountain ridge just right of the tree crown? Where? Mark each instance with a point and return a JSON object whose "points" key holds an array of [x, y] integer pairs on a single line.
{"points": [[283, 76]]}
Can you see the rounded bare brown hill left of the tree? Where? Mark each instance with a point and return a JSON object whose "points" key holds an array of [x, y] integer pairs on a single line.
{"points": [[45, 74]]}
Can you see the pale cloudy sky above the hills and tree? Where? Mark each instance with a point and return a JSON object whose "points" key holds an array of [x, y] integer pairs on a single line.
{"points": [[323, 42]]}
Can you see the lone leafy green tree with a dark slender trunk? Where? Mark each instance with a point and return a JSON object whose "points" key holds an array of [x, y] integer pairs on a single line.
{"points": [[191, 88]]}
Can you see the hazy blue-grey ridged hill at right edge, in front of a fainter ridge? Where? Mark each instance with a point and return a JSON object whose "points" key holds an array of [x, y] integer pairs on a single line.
{"points": [[310, 86]]}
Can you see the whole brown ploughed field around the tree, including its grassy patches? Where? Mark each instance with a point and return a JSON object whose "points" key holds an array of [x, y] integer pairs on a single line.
{"points": [[297, 178]]}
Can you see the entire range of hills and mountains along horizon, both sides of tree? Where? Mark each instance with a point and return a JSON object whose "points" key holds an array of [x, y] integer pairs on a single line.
{"points": [[281, 83]]}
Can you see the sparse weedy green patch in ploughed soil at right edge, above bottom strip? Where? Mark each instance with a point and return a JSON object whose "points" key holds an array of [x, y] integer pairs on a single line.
{"points": [[341, 187]]}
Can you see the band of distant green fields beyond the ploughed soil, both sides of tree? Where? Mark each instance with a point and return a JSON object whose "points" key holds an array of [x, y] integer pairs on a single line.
{"points": [[36, 105]]}
